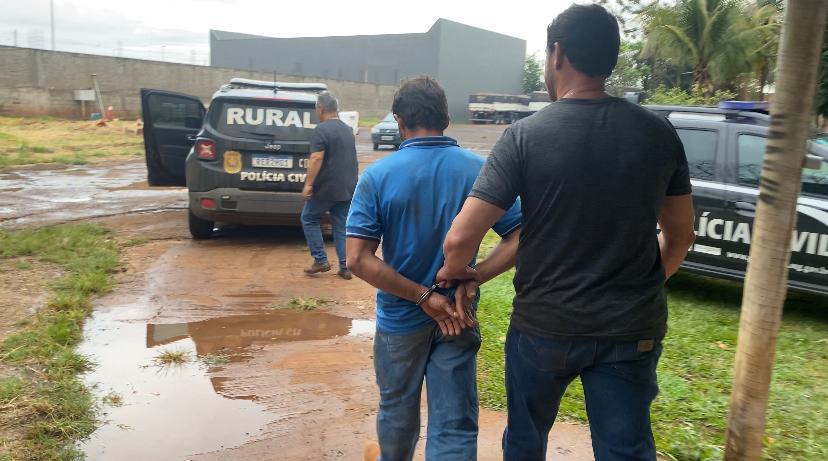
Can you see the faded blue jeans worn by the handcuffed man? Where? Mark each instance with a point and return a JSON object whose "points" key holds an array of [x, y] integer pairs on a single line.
{"points": [[449, 366]]}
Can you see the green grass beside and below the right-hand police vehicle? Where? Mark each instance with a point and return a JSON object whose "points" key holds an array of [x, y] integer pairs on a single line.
{"points": [[695, 371]]}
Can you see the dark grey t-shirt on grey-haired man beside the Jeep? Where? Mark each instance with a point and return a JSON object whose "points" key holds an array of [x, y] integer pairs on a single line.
{"points": [[337, 178]]}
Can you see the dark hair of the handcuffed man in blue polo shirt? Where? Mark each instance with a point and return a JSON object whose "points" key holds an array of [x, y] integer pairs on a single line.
{"points": [[421, 103]]}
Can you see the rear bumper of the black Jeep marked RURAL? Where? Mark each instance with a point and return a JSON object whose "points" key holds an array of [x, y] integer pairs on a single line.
{"points": [[248, 207]]}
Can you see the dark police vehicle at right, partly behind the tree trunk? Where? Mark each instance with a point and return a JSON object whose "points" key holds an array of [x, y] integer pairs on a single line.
{"points": [[725, 147]]}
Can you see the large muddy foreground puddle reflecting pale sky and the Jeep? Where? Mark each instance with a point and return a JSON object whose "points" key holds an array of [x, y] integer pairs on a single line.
{"points": [[172, 412]]}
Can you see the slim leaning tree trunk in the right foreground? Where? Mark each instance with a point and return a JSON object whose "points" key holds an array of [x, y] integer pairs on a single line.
{"points": [[767, 274]]}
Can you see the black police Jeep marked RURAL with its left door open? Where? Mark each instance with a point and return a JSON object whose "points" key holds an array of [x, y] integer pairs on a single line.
{"points": [[243, 160]]}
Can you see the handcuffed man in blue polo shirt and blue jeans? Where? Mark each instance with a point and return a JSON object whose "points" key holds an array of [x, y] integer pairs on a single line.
{"points": [[408, 201]]}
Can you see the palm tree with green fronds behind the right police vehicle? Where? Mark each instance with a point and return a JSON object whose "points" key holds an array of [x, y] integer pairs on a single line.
{"points": [[706, 35]]}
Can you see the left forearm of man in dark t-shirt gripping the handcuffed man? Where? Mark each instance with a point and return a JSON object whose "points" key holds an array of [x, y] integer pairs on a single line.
{"points": [[463, 239]]}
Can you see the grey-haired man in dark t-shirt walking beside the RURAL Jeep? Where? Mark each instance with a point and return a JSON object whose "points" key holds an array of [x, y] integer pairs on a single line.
{"points": [[329, 185]]}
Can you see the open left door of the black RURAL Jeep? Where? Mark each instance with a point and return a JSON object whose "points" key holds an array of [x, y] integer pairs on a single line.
{"points": [[171, 123]]}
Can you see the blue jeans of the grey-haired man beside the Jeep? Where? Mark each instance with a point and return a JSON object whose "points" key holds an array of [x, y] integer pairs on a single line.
{"points": [[311, 217]]}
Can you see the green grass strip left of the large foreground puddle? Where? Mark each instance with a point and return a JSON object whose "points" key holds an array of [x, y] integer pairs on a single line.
{"points": [[45, 399]]}
